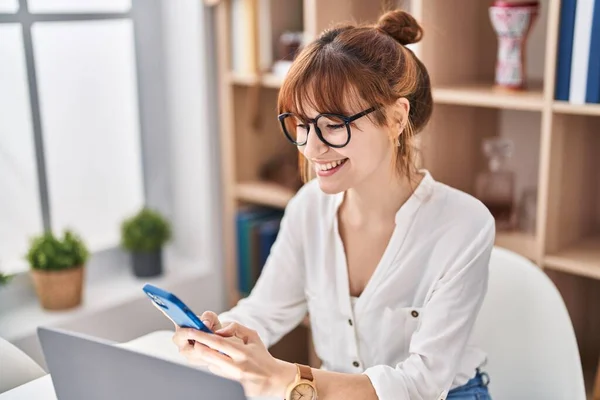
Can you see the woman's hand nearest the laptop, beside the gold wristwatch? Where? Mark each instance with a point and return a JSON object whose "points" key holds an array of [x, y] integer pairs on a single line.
{"points": [[247, 360]]}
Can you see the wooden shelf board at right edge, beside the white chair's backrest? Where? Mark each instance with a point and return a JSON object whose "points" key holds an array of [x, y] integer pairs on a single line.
{"points": [[582, 259]]}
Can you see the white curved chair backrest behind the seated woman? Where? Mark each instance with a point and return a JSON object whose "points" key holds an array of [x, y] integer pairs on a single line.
{"points": [[525, 329]]}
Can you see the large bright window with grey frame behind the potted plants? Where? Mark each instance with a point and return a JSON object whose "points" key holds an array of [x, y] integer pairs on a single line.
{"points": [[70, 147]]}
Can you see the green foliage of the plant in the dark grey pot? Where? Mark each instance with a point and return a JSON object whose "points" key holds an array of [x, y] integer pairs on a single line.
{"points": [[146, 231]]}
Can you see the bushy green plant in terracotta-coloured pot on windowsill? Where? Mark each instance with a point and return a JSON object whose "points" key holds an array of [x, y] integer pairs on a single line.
{"points": [[57, 268]]}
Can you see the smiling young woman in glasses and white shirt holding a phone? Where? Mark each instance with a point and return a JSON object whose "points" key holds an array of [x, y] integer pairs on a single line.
{"points": [[391, 265]]}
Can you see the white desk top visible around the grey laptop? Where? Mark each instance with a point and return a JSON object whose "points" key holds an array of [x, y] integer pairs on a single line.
{"points": [[157, 344]]}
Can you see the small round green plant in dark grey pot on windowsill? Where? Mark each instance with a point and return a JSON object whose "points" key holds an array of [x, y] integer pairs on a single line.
{"points": [[144, 235]]}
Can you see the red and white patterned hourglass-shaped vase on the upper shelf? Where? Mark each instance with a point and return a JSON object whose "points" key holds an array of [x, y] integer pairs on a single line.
{"points": [[512, 21]]}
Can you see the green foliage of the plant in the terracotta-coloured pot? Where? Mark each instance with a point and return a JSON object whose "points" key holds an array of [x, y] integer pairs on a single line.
{"points": [[50, 253]]}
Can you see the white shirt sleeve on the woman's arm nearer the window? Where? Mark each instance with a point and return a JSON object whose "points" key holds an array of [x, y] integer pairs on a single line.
{"points": [[277, 303]]}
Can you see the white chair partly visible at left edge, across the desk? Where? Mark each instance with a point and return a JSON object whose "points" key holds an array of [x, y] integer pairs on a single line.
{"points": [[16, 367]]}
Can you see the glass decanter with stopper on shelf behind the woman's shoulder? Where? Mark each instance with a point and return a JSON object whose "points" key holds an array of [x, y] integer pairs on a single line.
{"points": [[495, 187]]}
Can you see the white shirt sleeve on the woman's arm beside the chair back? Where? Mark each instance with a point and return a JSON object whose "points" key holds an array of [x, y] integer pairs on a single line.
{"points": [[449, 315]]}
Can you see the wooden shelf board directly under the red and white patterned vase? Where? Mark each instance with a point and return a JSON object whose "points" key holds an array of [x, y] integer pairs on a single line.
{"points": [[486, 95]]}
